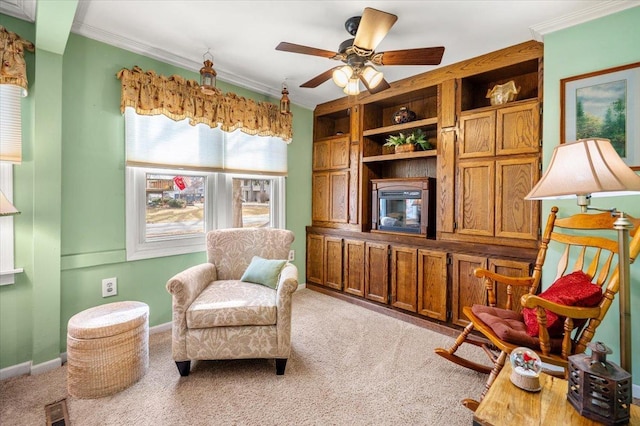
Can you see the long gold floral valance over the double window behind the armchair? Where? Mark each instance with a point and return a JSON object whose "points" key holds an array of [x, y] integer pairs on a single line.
{"points": [[179, 98]]}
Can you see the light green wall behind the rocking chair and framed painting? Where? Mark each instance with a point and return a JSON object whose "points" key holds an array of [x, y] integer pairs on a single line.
{"points": [[604, 43]]}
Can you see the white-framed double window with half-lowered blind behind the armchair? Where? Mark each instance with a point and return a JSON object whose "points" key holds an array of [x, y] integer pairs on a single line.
{"points": [[184, 180]]}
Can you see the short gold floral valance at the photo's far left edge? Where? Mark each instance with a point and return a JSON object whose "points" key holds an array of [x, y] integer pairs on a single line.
{"points": [[13, 69]]}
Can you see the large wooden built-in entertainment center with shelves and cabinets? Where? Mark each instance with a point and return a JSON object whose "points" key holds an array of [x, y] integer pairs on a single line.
{"points": [[486, 160]]}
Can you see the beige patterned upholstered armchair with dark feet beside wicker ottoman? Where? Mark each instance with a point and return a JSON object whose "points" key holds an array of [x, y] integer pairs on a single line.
{"points": [[218, 316]]}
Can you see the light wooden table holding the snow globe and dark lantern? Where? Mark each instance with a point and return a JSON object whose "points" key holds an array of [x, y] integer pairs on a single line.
{"points": [[507, 404]]}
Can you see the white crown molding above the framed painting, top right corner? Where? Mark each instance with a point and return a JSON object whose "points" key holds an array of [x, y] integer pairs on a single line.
{"points": [[598, 11]]}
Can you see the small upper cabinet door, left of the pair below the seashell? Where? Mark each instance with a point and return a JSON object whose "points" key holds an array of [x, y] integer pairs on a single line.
{"points": [[478, 135]]}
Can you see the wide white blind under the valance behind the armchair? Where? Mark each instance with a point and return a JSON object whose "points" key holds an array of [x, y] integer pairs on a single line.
{"points": [[160, 142]]}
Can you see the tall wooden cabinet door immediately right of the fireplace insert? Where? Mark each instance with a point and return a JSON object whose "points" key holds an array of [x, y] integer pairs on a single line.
{"points": [[476, 197]]}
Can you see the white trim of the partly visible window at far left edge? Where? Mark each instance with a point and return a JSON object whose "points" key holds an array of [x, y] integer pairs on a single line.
{"points": [[7, 267]]}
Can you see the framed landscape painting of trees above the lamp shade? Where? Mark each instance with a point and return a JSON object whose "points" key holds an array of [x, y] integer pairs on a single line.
{"points": [[604, 104]]}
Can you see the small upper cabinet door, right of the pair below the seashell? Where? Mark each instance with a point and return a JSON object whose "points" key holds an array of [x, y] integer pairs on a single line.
{"points": [[518, 129]]}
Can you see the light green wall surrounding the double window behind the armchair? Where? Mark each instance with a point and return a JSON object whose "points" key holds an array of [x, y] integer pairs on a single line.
{"points": [[81, 239]]}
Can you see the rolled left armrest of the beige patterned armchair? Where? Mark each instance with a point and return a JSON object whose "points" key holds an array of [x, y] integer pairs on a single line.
{"points": [[185, 286]]}
